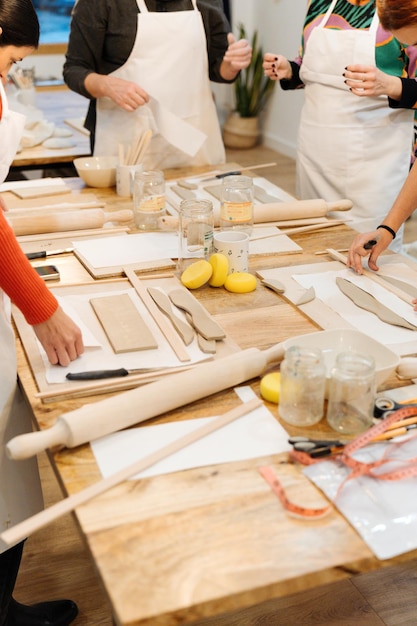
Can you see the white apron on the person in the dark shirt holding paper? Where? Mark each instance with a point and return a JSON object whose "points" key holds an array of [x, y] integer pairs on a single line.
{"points": [[169, 60]]}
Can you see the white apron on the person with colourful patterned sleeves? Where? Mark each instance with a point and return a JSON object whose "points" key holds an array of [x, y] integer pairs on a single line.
{"points": [[349, 147]]}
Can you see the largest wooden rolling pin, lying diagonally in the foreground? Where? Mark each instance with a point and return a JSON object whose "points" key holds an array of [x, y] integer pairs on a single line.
{"points": [[95, 420]]}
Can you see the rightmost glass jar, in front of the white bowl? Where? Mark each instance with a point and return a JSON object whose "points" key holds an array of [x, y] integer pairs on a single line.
{"points": [[352, 393]]}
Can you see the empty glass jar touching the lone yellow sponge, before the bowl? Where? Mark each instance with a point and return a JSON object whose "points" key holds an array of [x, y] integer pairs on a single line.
{"points": [[303, 380]]}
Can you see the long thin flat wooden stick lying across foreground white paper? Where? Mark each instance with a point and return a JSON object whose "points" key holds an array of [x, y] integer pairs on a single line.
{"points": [[38, 521]]}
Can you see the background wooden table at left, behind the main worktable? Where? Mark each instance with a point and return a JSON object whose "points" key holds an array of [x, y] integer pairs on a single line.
{"points": [[57, 105]]}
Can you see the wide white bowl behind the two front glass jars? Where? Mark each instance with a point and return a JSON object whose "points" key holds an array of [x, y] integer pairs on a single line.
{"points": [[332, 342]]}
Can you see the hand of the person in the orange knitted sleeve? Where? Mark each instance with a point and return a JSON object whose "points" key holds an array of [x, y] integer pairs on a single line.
{"points": [[60, 337]]}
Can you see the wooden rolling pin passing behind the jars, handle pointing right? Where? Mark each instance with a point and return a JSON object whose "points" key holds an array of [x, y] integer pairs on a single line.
{"points": [[279, 211]]}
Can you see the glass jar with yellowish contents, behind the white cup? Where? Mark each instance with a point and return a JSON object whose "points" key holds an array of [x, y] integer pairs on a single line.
{"points": [[236, 205]]}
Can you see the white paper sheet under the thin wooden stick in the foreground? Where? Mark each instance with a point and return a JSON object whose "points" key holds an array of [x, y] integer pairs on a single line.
{"points": [[254, 435]]}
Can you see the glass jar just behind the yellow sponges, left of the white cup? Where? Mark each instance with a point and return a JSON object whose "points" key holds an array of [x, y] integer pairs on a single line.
{"points": [[195, 235]]}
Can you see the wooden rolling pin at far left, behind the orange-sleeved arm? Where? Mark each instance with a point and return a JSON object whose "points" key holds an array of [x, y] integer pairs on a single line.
{"points": [[67, 220]]}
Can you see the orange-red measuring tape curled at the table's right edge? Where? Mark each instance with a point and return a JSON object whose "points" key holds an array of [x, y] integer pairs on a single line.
{"points": [[358, 468]]}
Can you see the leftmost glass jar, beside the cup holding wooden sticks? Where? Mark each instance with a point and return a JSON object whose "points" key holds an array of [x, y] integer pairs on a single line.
{"points": [[148, 199]]}
